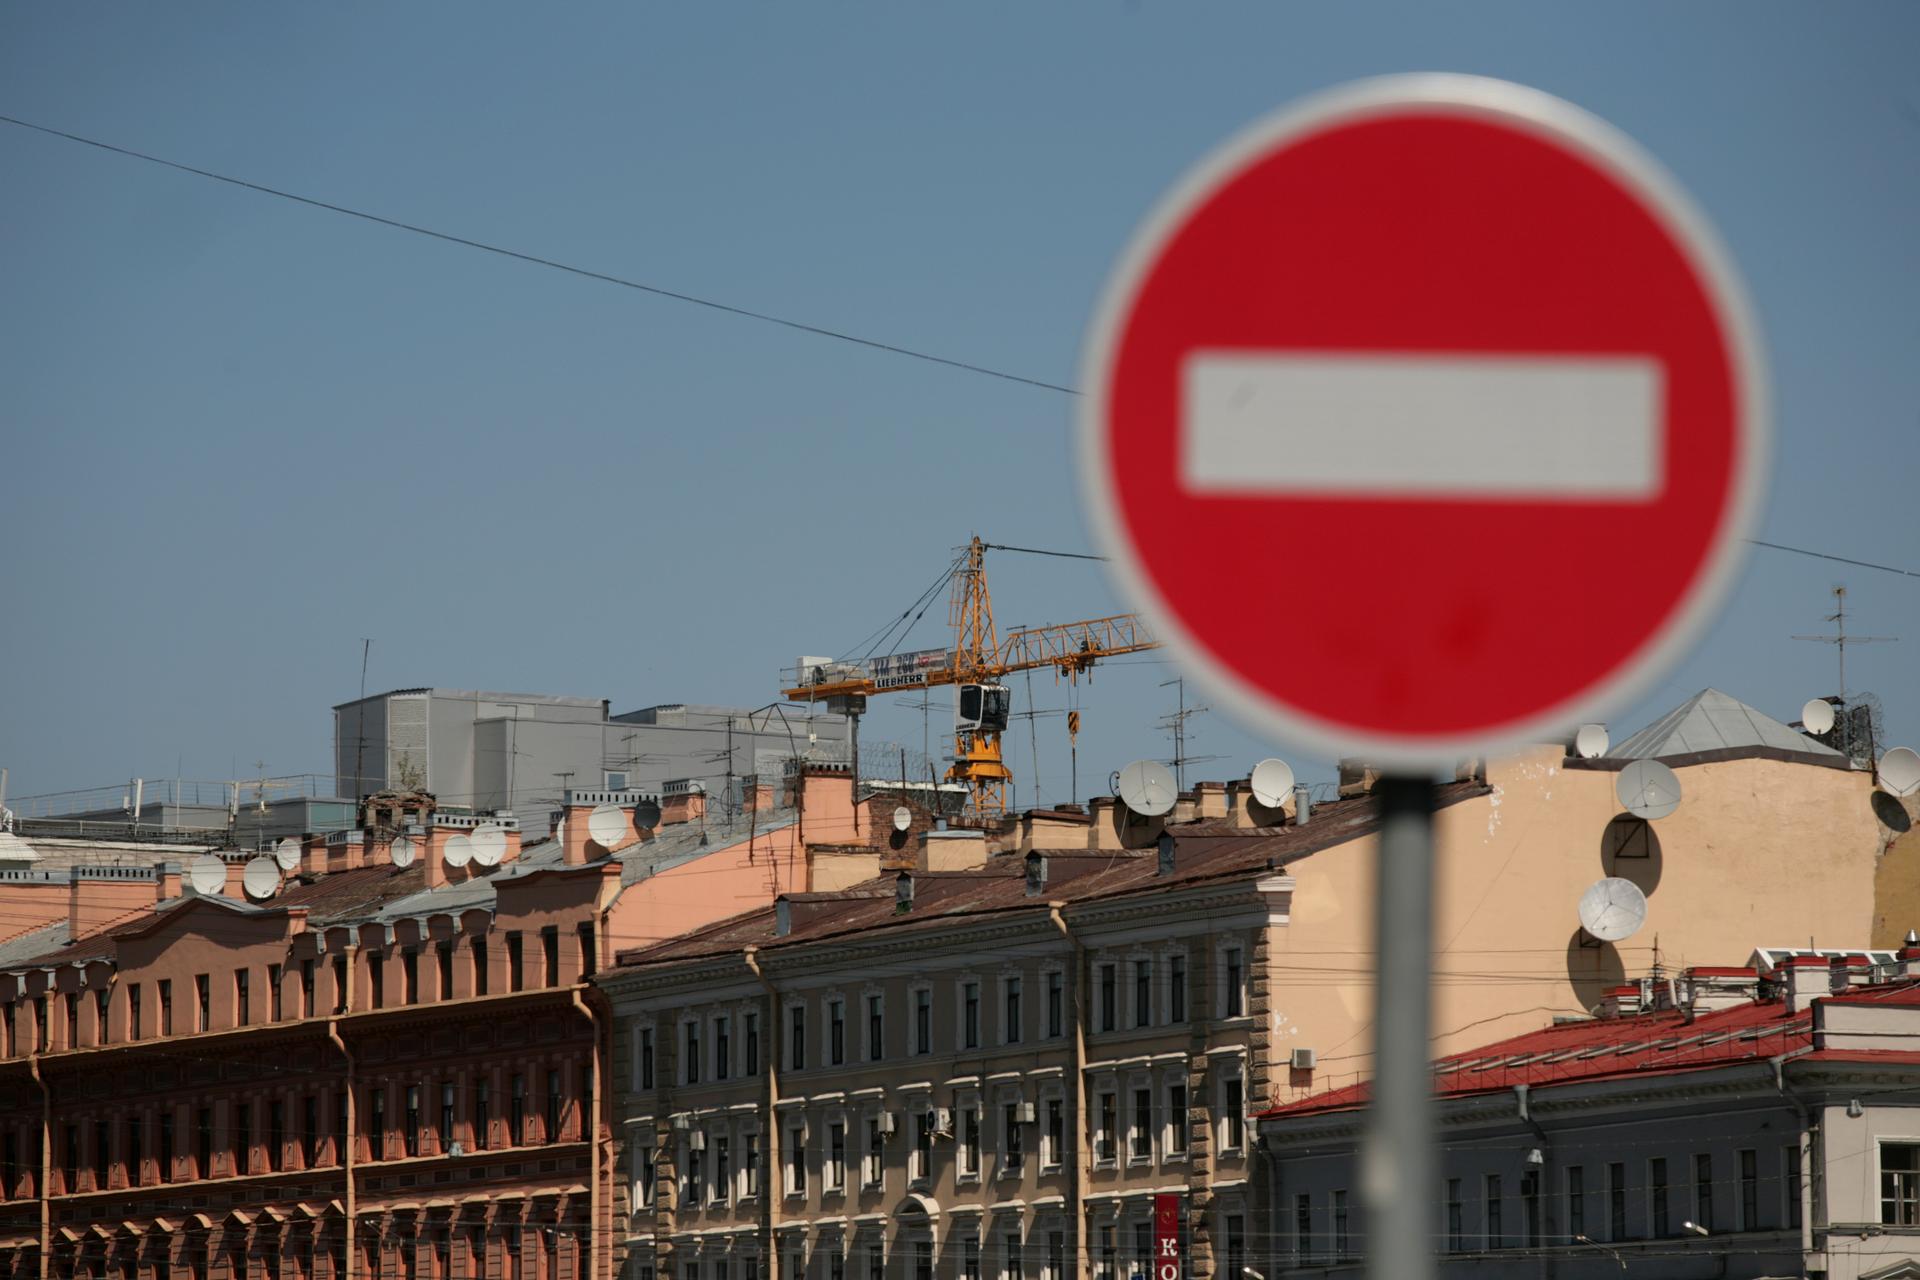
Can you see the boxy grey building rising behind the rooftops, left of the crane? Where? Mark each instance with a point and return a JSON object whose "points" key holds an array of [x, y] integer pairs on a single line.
{"points": [[519, 751]]}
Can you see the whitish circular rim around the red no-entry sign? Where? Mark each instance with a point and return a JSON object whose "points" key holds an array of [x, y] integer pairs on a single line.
{"points": [[1608, 151]]}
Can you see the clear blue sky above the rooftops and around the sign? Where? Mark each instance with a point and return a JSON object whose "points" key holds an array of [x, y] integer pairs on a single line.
{"points": [[241, 435]]}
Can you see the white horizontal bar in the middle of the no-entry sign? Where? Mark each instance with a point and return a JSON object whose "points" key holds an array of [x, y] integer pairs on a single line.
{"points": [[1260, 423]]}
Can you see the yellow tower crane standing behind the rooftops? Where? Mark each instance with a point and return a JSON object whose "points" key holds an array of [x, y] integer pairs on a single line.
{"points": [[974, 665]]}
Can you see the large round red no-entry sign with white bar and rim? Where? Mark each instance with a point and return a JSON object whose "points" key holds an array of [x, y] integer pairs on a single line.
{"points": [[1424, 419]]}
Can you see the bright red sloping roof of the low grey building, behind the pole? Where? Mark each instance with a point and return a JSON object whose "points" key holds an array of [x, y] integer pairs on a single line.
{"points": [[1602, 1049]]}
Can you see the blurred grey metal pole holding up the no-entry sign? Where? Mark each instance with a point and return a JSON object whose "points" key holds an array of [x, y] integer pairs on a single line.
{"points": [[1401, 1168]]}
